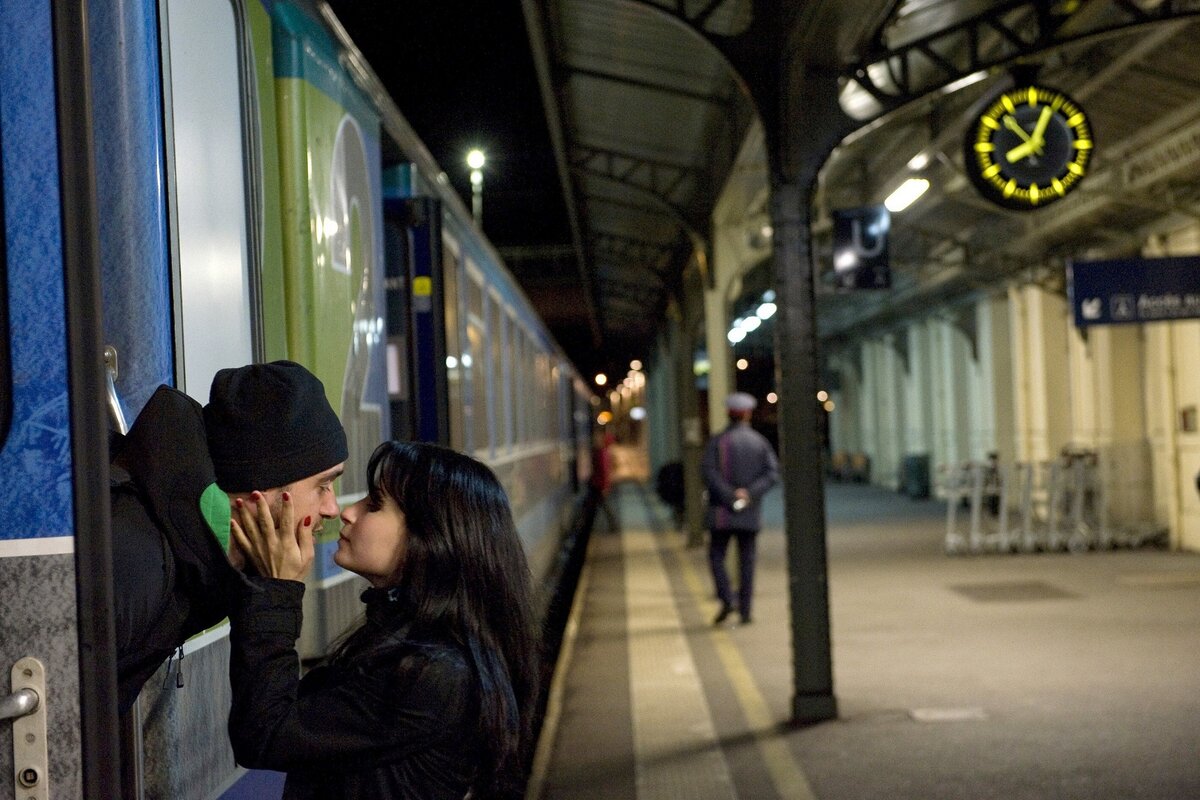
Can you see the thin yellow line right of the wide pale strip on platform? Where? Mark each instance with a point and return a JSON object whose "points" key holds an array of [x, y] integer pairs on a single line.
{"points": [[790, 781]]}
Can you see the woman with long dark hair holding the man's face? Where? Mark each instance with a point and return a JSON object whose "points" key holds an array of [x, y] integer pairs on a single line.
{"points": [[433, 696]]}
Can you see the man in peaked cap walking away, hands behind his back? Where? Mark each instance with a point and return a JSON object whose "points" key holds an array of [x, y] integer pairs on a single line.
{"points": [[740, 467]]}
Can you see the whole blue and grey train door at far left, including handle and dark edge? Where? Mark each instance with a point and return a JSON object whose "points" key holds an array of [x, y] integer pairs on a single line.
{"points": [[57, 665]]}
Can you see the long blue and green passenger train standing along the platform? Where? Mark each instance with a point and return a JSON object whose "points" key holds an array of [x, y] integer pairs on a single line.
{"points": [[191, 185]]}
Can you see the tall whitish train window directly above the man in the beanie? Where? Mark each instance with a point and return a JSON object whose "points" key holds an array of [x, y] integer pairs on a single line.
{"points": [[208, 149]]}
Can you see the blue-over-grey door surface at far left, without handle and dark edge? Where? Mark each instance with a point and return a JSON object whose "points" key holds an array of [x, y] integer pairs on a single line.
{"points": [[38, 568]]}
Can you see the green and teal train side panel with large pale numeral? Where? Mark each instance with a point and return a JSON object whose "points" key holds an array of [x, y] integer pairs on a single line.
{"points": [[333, 246]]}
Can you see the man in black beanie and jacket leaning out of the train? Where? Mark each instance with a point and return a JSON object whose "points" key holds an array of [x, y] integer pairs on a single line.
{"points": [[176, 479]]}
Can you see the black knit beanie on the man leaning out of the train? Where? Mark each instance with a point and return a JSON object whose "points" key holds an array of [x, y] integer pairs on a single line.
{"points": [[271, 425]]}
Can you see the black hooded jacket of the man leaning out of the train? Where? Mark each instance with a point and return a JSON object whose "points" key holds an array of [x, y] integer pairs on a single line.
{"points": [[172, 576]]}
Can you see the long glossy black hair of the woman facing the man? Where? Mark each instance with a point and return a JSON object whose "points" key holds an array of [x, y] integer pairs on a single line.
{"points": [[465, 574]]}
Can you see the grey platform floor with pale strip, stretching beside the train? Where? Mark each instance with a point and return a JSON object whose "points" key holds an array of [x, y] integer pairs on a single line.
{"points": [[1016, 677]]}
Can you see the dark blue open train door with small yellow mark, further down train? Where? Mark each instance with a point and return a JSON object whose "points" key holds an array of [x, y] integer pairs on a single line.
{"points": [[417, 326]]}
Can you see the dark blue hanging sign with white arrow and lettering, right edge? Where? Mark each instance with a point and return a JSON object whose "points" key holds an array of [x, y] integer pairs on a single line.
{"points": [[1135, 291]]}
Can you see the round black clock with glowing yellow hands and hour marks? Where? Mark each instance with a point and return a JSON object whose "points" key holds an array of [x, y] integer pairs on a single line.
{"points": [[1029, 148]]}
